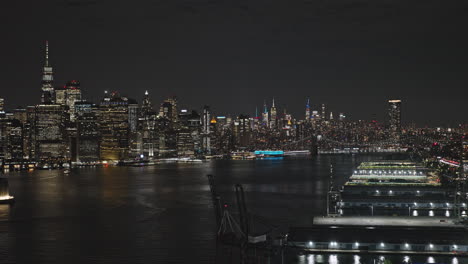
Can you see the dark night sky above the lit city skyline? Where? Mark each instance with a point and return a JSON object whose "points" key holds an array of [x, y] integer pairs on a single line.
{"points": [[351, 55]]}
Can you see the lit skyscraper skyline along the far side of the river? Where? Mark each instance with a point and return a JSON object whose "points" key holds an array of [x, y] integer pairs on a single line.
{"points": [[65, 127]]}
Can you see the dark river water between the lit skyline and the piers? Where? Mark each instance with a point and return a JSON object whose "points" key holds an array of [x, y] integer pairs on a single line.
{"points": [[162, 214]]}
